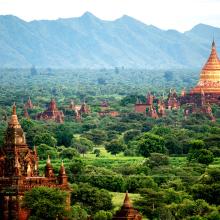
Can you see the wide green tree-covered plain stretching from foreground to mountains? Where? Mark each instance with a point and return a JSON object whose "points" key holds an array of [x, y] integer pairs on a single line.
{"points": [[170, 166]]}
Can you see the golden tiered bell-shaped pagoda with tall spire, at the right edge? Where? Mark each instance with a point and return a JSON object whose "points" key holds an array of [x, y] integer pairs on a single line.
{"points": [[209, 82]]}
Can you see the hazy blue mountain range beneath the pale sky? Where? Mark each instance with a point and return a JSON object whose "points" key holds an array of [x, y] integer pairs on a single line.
{"points": [[89, 42]]}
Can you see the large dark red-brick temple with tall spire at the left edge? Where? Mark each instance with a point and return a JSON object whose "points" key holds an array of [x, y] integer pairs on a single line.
{"points": [[19, 172]]}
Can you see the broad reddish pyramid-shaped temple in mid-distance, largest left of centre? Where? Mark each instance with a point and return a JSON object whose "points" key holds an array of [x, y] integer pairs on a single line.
{"points": [[51, 114]]}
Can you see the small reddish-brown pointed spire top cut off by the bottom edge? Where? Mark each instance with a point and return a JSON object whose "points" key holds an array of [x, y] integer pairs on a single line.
{"points": [[127, 212]]}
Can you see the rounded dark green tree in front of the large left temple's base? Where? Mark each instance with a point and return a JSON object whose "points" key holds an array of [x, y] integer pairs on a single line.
{"points": [[45, 203]]}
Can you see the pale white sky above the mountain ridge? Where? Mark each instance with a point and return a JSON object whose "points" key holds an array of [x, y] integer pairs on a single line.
{"points": [[166, 14]]}
